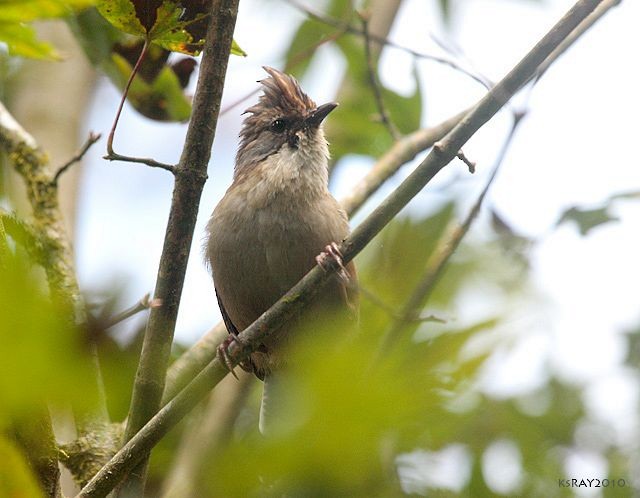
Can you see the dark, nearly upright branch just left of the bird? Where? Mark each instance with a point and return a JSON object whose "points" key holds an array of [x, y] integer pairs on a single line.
{"points": [[191, 174]]}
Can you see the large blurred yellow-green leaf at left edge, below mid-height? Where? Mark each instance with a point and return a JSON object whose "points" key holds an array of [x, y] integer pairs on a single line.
{"points": [[43, 356]]}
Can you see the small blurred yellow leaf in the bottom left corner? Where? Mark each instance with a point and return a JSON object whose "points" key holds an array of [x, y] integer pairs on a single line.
{"points": [[16, 478]]}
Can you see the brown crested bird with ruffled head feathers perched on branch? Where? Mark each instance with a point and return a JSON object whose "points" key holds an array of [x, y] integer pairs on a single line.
{"points": [[277, 221]]}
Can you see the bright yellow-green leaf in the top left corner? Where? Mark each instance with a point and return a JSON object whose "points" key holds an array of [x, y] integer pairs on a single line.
{"points": [[20, 38]]}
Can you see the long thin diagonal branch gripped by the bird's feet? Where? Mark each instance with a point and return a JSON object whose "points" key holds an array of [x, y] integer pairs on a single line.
{"points": [[300, 295]]}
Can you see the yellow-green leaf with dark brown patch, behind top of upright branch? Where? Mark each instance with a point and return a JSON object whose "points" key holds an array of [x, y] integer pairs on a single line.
{"points": [[177, 25]]}
